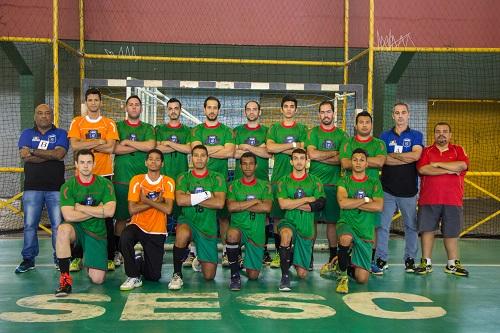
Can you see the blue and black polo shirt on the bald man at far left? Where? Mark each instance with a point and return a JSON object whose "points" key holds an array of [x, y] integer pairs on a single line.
{"points": [[47, 175]]}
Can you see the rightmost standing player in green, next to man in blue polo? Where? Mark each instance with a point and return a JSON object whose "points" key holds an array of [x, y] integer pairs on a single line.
{"points": [[377, 153]]}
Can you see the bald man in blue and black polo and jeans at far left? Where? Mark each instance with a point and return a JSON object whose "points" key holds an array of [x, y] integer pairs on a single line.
{"points": [[42, 149]]}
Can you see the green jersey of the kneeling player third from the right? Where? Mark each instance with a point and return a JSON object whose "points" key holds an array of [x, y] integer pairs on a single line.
{"points": [[253, 223]]}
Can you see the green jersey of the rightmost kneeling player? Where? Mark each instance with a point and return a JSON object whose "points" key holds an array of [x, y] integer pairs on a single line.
{"points": [[361, 221]]}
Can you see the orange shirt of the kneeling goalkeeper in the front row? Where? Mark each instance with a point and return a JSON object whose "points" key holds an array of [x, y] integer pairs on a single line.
{"points": [[151, 221]]}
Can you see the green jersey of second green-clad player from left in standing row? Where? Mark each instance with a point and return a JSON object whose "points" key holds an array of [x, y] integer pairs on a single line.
{"points": [[174, 163]]}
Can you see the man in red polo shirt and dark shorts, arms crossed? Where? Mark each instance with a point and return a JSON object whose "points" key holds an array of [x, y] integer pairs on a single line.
{"points": [[442, 168]]}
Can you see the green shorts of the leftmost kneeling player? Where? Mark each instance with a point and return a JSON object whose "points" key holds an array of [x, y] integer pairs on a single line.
{"points": [[95, 250]]}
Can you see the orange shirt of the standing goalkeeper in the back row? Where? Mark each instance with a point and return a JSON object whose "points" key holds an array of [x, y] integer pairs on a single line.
{"points": [[94, 129]]}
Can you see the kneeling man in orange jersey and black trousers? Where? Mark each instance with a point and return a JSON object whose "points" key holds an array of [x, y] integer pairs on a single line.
{"points": [[150, 200]]}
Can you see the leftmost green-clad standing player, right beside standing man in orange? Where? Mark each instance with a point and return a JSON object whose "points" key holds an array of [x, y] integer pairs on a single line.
{"points": [[136, 139]]}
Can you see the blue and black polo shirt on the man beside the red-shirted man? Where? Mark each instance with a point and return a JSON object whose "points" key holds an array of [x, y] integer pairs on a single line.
{"points": [[401, 180]]}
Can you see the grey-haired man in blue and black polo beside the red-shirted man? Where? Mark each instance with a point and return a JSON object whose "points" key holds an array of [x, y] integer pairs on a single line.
{"points": [[399, 182]]}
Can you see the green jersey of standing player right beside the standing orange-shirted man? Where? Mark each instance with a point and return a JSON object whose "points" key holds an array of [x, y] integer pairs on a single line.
{"points": [[129, 165]]}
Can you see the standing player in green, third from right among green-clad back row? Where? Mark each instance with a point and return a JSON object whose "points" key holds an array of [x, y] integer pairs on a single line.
{"points": [[282, 139]]}
